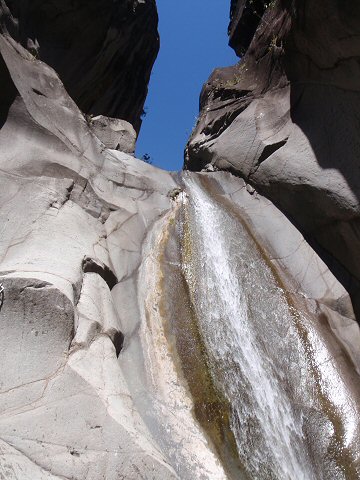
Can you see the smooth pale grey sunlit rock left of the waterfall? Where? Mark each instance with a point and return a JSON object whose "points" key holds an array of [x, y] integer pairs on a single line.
{"points": [[75, 218]]}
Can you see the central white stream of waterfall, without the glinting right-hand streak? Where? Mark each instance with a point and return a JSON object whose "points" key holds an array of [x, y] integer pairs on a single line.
{"points": [[246, 323]]}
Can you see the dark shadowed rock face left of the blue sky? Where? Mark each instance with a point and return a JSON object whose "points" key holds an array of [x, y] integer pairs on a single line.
{"points": [[103, 51]]}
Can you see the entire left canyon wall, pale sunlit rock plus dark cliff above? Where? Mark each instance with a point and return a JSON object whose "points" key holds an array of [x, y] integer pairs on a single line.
{"points": [[73, 218]]}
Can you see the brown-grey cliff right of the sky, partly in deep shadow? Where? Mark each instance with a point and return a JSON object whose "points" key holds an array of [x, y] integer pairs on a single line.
{"points": [[286, 119]]}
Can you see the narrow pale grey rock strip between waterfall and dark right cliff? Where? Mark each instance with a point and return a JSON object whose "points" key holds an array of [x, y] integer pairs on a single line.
{"points": [[303, 272]]}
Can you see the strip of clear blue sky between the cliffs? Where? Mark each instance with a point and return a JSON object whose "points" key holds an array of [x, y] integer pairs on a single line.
{"points": [[193, 37]]}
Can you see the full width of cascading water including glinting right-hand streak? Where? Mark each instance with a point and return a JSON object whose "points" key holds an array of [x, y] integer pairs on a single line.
{"points": [[265, 358]]}
